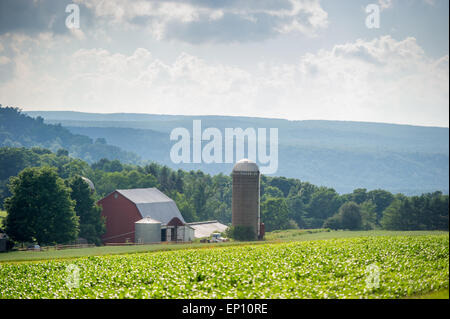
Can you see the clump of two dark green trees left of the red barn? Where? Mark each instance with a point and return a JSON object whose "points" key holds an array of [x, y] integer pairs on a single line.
{"points": [[45, 209]]}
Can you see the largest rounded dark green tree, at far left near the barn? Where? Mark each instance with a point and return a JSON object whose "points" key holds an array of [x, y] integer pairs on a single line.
{"points": [[40, 208]]}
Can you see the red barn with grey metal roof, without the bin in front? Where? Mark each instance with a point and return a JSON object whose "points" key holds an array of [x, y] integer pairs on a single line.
{"points": [[123, 207]]}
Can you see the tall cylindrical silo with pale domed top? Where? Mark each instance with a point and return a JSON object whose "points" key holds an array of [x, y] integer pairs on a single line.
{"points": [[245, 200]]}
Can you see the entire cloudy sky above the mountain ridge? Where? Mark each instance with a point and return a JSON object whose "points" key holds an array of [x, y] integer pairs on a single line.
{"points": [[291, 59]]}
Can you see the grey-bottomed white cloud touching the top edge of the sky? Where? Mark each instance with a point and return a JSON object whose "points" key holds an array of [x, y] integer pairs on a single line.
{"points": [[183, 20]]}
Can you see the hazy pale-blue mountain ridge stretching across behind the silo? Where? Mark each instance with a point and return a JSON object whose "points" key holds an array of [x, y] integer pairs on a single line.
{"points": [[342, 155]]}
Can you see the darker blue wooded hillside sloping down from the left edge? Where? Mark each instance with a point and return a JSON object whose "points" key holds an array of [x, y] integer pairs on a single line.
{"points": [[20, 130]]}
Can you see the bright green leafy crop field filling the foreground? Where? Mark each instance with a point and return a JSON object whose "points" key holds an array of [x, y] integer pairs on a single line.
{"points": [[362, 267]]}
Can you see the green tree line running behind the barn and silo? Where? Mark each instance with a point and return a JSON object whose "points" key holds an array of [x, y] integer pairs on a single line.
{"points": [[285, 202]]}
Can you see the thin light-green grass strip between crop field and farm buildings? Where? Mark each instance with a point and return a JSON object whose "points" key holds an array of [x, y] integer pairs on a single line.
{"points": [[277, 236]]}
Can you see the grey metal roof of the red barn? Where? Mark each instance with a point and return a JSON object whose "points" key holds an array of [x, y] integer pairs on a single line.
{"points": [[152, 203]]}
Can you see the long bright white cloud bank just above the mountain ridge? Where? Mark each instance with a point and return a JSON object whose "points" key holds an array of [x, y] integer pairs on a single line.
{"points": [[382, 80]]}
